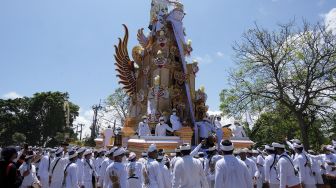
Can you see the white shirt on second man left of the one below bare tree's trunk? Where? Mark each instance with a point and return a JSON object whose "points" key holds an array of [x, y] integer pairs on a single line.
{"points": [[271, 174]]}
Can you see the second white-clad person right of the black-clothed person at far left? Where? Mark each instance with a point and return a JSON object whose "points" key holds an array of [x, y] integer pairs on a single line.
{"points": [[43, 170]]}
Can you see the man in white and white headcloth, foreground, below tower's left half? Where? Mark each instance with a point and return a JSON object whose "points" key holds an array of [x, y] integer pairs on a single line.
{"points": [[153, 177]]}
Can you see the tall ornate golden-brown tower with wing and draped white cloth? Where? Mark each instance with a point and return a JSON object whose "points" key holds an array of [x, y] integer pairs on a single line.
{"points": [[159, 78]]}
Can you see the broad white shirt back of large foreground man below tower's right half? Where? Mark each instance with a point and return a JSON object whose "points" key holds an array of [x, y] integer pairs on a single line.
{"points": [[188, 172]]}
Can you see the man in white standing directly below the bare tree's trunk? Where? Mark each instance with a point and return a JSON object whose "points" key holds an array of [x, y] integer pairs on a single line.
{"points": [[304, 165]]}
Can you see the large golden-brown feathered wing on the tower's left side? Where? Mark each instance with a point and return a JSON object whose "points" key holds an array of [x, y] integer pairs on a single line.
{"points": [[124, 66]]}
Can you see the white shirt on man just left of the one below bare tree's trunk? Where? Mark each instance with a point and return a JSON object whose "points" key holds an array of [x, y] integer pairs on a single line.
{"points": [[286, 172]]}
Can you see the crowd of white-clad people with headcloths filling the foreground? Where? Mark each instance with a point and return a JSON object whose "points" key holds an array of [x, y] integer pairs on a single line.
{"points": [[221, 167]]}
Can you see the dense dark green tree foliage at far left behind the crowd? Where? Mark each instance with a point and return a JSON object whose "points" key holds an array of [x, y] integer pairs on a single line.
{"points": [[39, 118]]}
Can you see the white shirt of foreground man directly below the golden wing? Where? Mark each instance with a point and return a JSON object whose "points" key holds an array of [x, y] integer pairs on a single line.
{"points": [[119, 170]]}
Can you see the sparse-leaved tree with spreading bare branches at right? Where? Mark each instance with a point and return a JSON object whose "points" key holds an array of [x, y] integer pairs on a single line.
{"points": [[292, 66]]}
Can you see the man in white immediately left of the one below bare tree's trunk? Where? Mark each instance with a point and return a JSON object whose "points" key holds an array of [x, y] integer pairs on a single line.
{"points": [[288, 174]]}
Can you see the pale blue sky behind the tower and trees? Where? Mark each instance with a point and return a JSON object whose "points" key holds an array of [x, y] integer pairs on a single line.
{"points": [[67, 45]]}
